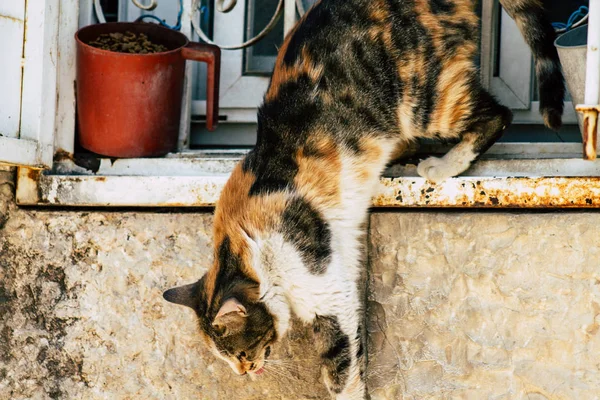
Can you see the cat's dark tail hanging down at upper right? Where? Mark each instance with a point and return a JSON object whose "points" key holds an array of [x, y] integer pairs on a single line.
{"points": [[539, 35]]}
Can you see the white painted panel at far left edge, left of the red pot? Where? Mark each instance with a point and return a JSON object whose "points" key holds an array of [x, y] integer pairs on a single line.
{"points": [[34, 27]]}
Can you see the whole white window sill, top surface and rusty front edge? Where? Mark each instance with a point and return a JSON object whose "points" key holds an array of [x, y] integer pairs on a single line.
{"points": [[187, 180]]}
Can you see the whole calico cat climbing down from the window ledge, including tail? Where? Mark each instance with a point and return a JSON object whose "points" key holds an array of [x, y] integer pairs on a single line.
{"points": [[355, 82]]}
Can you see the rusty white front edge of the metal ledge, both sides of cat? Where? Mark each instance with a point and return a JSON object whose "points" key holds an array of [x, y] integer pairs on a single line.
{"points": [[35, 188]]}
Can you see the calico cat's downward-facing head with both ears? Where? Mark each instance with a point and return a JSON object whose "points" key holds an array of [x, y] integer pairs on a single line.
{"points": [[234, 323]]}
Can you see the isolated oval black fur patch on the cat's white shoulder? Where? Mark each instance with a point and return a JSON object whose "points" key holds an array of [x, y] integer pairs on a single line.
{"points": [[306, 229]]}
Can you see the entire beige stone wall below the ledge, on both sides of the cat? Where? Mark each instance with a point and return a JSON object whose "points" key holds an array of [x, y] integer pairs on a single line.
{"points": [[462, 305]]}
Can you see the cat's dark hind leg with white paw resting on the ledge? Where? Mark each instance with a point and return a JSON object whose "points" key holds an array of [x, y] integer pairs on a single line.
{"points": [[486, 124]]}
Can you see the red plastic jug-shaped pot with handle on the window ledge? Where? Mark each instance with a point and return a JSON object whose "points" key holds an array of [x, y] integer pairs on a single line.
{"points": [[129, 105]]}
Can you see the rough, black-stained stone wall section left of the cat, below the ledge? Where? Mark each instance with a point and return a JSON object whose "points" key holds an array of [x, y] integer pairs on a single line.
{"points": [[82, 314]]}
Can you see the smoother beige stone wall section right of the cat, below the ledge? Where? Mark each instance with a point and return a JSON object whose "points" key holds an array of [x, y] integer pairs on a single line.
{"points": [[485, 306]]}
